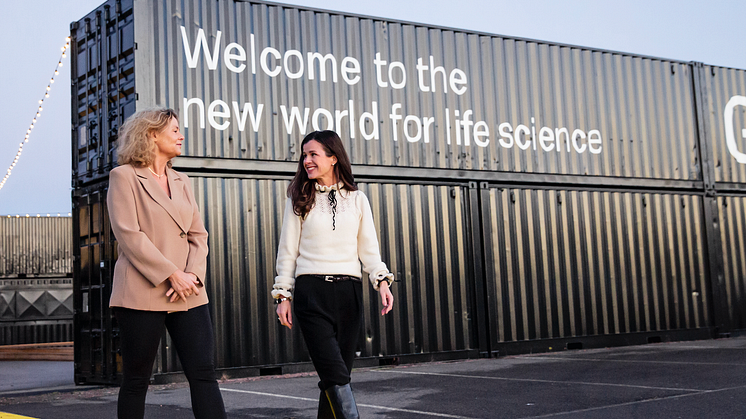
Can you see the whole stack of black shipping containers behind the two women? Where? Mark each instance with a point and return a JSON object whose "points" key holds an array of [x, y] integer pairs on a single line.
{"points": [[529, 195]]}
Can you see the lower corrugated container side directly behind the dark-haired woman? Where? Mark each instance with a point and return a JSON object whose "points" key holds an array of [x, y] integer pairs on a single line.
{"points": [[428, 254]]}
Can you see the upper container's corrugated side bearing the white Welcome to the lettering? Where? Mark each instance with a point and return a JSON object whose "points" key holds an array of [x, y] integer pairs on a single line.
{"points": [[523, 106]]}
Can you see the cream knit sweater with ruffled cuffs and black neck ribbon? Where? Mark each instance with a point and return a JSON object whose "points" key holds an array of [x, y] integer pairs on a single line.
{"points": [[320, 245]]}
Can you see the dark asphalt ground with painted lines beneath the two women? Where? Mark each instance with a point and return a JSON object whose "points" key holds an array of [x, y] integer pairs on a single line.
{"points": [[701, 379]]}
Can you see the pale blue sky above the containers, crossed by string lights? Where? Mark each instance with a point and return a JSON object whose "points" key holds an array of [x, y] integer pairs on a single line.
{"points": [[711, 32]]}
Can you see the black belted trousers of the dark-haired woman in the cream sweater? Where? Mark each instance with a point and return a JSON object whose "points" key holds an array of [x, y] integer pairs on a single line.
{"points": [[330, 315]]}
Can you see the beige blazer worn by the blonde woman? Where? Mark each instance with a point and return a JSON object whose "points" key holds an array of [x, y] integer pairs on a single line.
{"points": [[156, 236]]}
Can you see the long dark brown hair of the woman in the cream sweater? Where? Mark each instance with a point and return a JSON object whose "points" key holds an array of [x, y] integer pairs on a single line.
{"points": [[302, 190]]}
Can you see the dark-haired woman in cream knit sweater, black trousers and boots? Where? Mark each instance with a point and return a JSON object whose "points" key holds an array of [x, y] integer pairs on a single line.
{"points": [[327, 231]]}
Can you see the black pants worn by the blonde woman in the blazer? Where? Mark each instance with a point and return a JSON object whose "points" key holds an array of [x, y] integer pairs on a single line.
{"points": [[192, 335]]}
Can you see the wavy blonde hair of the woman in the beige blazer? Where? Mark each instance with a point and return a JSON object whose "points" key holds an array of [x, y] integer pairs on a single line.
{"points": [[135, 146]]}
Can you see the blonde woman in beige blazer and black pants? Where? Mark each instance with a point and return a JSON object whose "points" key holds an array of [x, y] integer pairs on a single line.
{"points": [[160, 272]]}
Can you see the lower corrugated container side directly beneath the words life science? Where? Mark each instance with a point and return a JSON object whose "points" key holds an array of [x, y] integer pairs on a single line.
{"points": [[580, 263]]}
